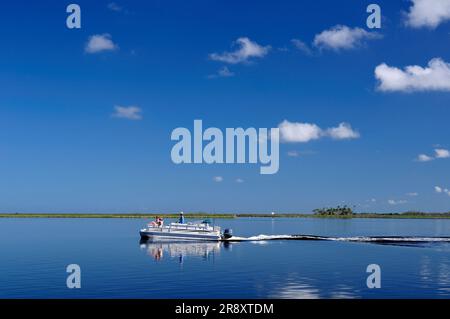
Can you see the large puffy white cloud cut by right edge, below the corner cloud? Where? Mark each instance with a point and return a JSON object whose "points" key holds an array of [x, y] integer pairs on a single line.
{"points": [[434, 77]]}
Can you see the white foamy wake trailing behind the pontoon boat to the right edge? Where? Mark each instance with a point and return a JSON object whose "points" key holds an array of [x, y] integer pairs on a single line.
{"points": [[370, 239]]}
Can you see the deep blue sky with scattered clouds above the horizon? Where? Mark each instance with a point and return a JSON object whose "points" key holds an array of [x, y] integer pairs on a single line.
{"points": [[62, 150]]}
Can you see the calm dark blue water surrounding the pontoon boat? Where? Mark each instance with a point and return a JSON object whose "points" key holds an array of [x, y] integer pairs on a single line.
{"points": [[34, 254]]}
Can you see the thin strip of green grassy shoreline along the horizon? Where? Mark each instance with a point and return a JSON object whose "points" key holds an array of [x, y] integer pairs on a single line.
{"points": [[407, 215]]}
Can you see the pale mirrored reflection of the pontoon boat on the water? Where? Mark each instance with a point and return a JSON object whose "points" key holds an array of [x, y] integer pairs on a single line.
{"points": [[163, 248]]}
